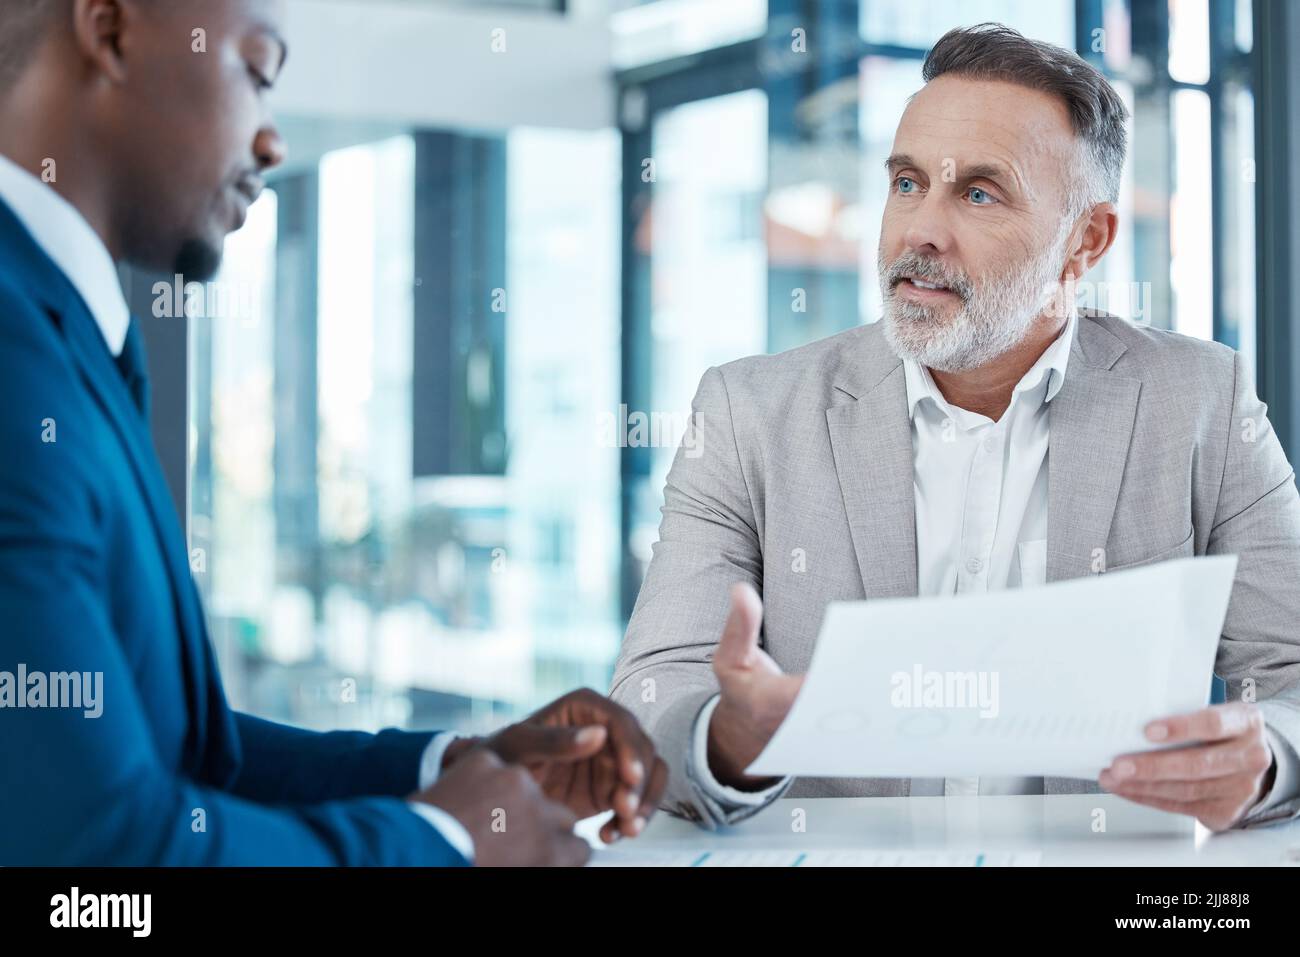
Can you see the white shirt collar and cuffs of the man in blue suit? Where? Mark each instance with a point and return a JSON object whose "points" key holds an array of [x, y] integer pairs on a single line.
{"points": [[81, 256]]}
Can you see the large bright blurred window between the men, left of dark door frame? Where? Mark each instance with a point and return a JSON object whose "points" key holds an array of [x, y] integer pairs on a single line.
{"points": [[352, 584]]}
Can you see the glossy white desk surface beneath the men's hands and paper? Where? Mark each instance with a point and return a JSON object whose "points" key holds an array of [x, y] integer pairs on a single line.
{"points": [[1059, 829]]}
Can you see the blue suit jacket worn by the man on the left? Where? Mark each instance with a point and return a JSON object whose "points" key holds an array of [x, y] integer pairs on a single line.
{"points": [[94, 578]]}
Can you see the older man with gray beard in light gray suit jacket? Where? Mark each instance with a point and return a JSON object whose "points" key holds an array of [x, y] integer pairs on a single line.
{"points": [[980, 438]]}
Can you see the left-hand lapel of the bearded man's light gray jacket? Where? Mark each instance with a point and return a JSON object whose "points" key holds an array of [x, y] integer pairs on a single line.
{"points": [[872, 444]]}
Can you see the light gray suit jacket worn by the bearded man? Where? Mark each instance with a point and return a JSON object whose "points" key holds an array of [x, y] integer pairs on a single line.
{"points": [[1159, 449]]}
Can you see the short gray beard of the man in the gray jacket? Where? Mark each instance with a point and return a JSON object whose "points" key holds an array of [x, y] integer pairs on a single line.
{"points": [[995, 319]]}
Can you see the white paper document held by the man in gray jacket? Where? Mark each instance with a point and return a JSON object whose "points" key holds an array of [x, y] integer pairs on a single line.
{"points": [[1052, 681]]}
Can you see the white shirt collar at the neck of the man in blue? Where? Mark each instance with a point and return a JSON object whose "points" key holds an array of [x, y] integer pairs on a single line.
{"points": [[75, 248]]}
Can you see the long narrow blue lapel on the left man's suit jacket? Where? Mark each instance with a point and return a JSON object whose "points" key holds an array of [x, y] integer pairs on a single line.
{"points": [[211, 748]]}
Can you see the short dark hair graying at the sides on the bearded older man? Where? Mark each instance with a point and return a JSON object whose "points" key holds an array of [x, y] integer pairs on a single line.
{"points": [[994, 51]]}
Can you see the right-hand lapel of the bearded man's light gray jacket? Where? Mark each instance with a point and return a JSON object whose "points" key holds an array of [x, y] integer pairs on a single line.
{"points": [[1093, 423]]}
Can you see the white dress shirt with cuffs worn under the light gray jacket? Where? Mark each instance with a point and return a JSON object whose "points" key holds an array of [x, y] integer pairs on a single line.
{"points": [[982, 525]]}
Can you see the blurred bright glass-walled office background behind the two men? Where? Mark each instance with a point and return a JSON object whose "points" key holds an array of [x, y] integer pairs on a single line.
{"points": [[401, 490]]}
